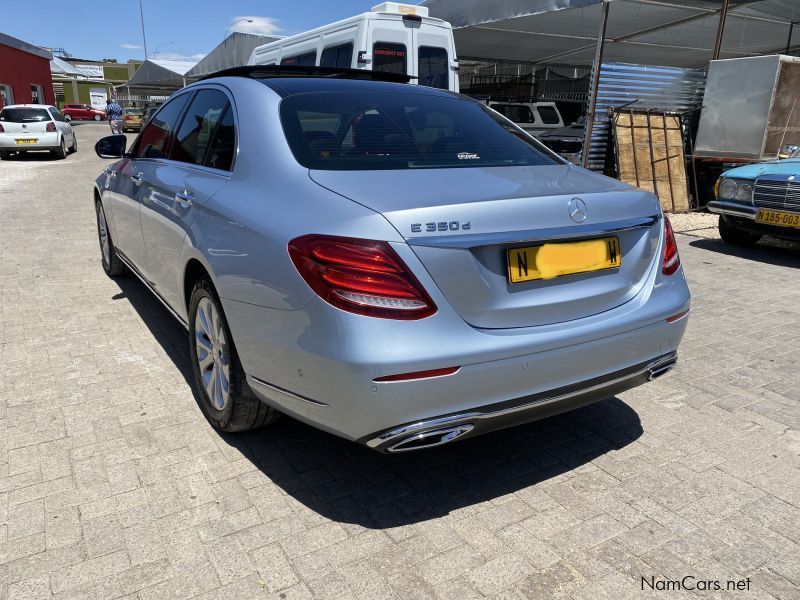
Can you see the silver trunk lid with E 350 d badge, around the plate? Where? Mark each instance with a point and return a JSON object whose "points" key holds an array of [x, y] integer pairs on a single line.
{"points": [[462, 222]]}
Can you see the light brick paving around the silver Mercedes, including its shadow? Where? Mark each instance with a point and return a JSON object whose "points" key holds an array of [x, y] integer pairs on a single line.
{"points": [[113, 485]]}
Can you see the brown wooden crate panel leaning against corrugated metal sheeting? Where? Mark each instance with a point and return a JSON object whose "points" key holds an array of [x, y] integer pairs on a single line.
{"points": [[650, 155]]}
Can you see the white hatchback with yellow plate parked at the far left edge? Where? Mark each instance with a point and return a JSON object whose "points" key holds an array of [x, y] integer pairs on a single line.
{"points": [[28, 127]]}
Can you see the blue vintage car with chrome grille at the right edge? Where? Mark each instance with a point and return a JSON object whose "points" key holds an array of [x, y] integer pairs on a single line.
{"points": [[759, 199]]}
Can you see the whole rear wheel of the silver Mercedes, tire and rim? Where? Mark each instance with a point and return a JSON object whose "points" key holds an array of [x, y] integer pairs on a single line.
{"points": [[219, 380]]}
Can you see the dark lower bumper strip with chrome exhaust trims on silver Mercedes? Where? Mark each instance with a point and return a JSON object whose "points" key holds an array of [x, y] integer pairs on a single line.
{"points": [[446, 428]]}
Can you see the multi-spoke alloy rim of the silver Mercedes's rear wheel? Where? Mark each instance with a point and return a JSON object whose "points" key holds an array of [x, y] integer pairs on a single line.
{"points": [[213, 356]]}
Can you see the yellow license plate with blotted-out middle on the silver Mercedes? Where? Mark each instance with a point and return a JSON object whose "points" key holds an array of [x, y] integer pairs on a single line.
{"points": [[563, 258]]}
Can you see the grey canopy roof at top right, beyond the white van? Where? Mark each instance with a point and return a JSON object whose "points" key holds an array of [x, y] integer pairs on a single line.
{"points": [[677, 33]]}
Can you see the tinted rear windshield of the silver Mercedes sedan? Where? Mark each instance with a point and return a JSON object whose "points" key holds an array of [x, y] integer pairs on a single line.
{"points": [[342, 131]]}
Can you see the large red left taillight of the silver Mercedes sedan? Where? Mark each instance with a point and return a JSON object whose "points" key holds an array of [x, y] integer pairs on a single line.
{"points": [[365, 277]]}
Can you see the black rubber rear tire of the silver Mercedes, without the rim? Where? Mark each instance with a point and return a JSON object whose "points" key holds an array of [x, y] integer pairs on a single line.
{"points": [[242, 410]]}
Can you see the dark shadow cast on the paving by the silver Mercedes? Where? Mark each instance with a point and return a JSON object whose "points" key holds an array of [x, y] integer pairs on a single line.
{"points": [[349, 483]]}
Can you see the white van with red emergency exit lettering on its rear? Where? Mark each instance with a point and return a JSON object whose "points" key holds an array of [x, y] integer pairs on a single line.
{"points": [[398, 38]]}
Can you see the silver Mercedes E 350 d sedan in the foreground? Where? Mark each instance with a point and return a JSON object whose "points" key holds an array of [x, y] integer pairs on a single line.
{"points": [[395, 264]]}
